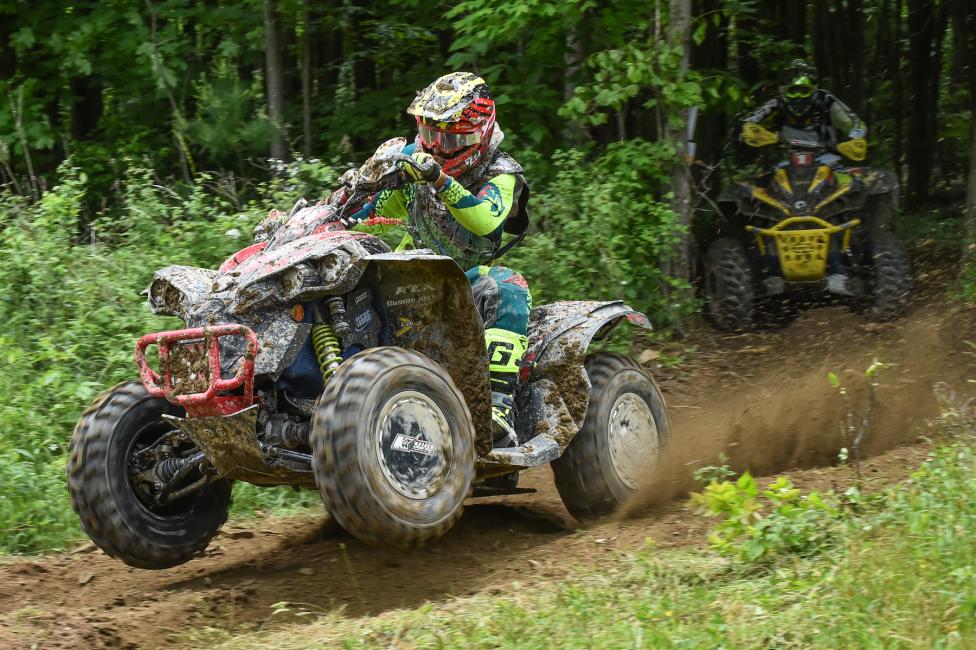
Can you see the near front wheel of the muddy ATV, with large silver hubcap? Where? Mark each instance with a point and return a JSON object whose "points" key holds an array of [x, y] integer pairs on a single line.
{"points": [[393, 447]]}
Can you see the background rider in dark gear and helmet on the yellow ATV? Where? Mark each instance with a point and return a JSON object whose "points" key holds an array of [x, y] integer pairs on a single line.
{"points": [[817, 113]]}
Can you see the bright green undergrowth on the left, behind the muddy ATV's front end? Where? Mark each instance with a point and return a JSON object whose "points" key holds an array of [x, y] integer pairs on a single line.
{"points": [[72, 310]]}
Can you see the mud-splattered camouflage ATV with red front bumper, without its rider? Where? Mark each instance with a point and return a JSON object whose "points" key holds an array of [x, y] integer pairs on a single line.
{"points": [[320, 359]]}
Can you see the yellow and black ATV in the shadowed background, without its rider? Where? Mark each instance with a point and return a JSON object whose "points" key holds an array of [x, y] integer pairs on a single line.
{"points": [[806, 233]]}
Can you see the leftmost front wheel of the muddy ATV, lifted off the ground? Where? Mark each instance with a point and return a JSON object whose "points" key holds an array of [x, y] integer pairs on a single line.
{"points": [[118, 447]]}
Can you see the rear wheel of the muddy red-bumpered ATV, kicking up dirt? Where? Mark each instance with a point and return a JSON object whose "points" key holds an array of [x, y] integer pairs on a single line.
{"points": [[625, 429]]}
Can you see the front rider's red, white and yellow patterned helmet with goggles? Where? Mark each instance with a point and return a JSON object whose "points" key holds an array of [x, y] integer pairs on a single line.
{"points": [[455, 120]]}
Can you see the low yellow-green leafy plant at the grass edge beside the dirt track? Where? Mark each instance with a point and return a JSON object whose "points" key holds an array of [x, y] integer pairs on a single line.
{"points": [[759, 527]]}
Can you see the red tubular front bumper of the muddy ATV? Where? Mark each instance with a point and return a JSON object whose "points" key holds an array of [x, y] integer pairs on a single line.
{"points": [[213, 400]]}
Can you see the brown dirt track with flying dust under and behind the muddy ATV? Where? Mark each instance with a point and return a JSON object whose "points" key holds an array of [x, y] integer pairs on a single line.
{"points": [[762, 399]]}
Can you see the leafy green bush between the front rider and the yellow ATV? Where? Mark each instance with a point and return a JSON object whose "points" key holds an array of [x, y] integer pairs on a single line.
{"points": [[602, 232]]}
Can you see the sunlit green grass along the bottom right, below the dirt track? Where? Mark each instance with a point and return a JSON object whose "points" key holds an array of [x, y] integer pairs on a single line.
{"points": [[899, 575]]}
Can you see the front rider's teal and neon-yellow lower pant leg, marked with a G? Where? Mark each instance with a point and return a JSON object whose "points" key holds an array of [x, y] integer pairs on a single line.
{"points": [[502, 298]]}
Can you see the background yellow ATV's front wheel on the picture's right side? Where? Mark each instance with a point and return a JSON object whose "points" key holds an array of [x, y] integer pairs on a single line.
{"points": [[891, 277]]}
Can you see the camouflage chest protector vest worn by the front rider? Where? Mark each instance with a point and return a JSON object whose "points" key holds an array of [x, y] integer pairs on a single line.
{"points": [[436, 228]]}
